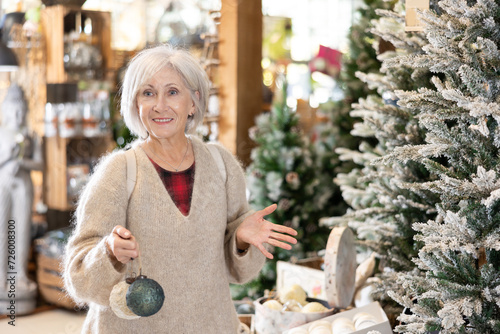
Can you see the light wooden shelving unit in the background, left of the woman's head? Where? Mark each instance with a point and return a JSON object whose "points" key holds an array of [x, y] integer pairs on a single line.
{"points": [[66, 156]]}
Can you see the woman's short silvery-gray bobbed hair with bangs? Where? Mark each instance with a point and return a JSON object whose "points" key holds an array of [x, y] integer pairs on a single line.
{"points": [[145, 65]]}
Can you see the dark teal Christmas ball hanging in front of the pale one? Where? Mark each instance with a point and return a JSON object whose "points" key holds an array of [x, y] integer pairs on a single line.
{"points": [[145, 296]]}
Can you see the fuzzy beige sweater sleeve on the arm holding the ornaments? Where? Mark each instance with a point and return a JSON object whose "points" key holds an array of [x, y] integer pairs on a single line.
{"points": [[89, 271]]}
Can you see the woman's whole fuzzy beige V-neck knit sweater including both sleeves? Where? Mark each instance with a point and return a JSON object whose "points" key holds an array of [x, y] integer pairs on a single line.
{"points": [[194, 258]]}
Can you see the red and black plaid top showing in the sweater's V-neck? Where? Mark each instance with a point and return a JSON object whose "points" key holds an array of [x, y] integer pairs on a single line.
{"points": [[179, 185]]}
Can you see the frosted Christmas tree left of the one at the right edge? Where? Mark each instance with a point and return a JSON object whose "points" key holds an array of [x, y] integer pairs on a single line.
{"points": [[382, 210]]}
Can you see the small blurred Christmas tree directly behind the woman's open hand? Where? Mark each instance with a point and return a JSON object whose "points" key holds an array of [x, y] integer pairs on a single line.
{"points": [[282, 171]]}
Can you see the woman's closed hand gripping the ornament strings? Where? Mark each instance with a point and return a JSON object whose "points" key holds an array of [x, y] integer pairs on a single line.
{"points": [[122, 244]]}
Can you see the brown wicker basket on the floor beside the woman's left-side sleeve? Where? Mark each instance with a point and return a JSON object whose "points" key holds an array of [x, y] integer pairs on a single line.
{"points": [[50, 282]]}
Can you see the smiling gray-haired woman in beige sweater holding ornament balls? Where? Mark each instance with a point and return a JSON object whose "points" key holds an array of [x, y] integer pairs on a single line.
{"points": [[194, 230]]}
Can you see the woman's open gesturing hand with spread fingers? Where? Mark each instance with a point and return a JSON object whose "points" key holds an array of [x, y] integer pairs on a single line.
{"points": [[255, 230]]}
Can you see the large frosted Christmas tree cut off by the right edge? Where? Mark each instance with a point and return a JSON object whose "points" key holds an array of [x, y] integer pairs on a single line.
{"points": [[460, 114]]}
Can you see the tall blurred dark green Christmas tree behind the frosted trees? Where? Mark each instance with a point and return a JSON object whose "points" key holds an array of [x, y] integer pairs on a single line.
{"points": [[333, 129]]}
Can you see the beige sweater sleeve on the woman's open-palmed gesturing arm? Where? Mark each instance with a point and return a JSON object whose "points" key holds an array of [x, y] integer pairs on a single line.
{"points": [[241, 268]]}
